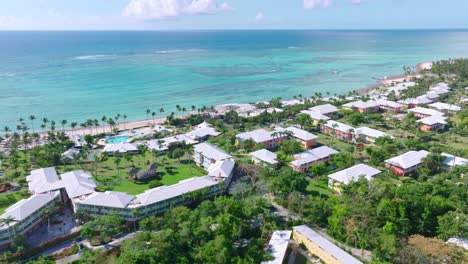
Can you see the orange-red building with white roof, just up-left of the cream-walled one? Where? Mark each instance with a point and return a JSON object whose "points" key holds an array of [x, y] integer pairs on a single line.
{"points": [[303, 161]]}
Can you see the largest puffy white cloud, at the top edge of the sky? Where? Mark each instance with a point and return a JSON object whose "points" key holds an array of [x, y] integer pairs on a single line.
{"points": [[162, 9]]}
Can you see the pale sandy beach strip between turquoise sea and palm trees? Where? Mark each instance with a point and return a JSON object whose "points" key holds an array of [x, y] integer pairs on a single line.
{"points": [[129, 125]]}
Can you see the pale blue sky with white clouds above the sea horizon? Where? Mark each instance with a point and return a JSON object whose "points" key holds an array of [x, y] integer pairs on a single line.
{"points": [[231, 14]]}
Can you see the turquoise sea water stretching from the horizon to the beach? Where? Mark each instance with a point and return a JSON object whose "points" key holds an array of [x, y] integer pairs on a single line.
{"points": [[80, 75]]}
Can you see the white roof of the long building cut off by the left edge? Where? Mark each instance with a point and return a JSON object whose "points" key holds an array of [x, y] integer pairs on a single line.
{"points": [[25, 207]]}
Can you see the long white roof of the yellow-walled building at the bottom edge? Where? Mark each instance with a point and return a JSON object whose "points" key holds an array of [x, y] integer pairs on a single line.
{"points": [[326, 245]]}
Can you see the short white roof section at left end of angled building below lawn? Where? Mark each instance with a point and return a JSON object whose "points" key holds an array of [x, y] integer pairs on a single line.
{"points": [[107, 199]]}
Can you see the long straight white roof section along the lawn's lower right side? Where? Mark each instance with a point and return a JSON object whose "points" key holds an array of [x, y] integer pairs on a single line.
{"points": [[166, 192]]}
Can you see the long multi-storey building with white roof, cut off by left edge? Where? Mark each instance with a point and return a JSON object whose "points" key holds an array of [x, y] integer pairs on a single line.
{"points": [[26, 215]]}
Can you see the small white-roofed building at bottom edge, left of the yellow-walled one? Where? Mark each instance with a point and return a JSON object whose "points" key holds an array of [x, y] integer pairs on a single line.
{"points": [[278, 246]]}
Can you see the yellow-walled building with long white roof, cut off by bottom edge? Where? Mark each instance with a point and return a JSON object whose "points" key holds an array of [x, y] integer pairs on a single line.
{"points": [[321, 247]]}
